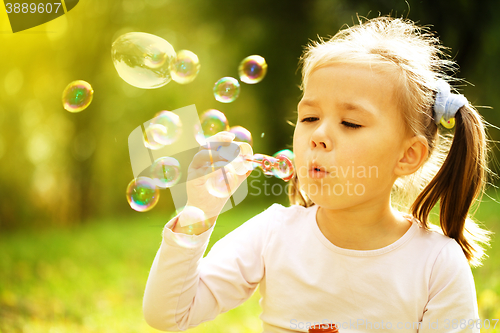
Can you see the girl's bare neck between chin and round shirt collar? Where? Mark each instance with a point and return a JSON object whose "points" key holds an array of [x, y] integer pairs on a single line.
{"points": [[362, 230]]}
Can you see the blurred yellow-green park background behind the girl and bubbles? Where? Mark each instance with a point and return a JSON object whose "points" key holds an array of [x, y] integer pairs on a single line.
{"points": [[74, 256]]}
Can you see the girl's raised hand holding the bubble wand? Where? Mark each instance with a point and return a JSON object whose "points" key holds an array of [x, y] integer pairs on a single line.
{"points": [[208, 166]]}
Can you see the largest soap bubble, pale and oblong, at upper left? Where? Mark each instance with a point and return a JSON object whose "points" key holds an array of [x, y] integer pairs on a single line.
{"points": [[143, 60]]}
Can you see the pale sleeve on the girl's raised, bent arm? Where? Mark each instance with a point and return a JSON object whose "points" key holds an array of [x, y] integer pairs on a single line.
{"points": [[184, 290]]}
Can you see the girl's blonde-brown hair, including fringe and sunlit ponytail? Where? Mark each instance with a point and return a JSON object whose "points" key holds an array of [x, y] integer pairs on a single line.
{"points": [[456, 167]]}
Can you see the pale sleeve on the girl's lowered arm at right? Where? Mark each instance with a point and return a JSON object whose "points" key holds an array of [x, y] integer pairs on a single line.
{"points": [[452, 305]]}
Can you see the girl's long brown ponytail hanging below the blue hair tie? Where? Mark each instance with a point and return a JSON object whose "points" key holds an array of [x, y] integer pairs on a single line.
{"points": [[459, 182]]}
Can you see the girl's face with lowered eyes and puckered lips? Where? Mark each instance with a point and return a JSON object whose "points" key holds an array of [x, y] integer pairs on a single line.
{"points": [[348, 137]]}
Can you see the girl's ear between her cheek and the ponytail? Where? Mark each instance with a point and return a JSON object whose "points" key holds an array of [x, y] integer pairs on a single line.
{"points": [[413, 156]]}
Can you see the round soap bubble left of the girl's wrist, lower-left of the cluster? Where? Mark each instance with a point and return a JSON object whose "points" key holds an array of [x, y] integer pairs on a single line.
{"points": [[142, 194]]}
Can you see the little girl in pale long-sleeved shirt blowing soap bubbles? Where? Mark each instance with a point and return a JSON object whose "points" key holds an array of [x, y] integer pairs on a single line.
{"points": [[375, 102]]}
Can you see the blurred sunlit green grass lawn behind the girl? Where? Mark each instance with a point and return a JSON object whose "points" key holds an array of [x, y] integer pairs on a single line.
{"points": [[91, 278]]}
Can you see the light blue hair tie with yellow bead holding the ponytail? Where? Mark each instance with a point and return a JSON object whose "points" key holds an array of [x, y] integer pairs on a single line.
{"points": [[446, 104]]}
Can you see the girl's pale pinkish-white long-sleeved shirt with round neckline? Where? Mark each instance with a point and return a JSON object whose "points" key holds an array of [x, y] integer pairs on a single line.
{"points": [[420, 283]]}
